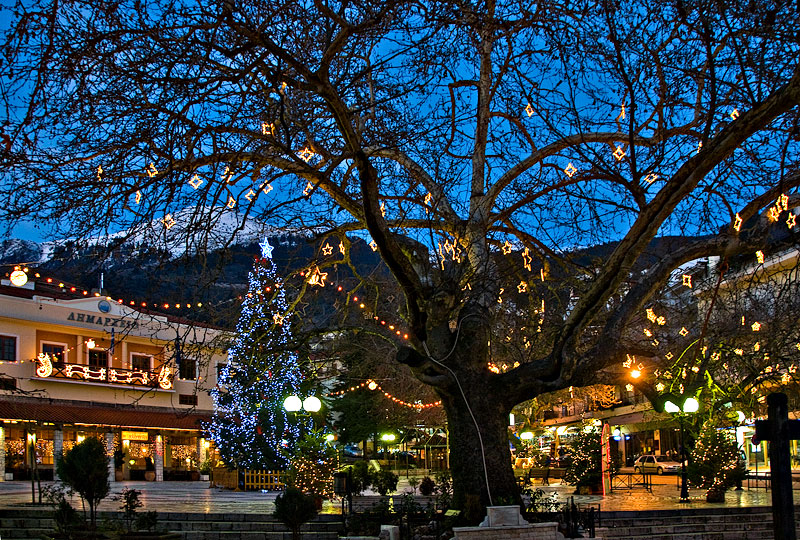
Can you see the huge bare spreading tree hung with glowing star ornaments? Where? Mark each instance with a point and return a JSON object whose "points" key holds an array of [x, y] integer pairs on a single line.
{"points": [[477, 144]]}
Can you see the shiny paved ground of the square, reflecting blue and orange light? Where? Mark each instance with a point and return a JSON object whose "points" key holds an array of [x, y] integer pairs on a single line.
{"points": [[198, 497]]}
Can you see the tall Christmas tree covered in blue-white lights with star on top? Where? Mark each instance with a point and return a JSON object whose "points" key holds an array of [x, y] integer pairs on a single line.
{"points": [[250, 428]]}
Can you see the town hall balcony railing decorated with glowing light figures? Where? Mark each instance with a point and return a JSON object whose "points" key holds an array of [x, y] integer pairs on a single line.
{"points": [[48, 368]]}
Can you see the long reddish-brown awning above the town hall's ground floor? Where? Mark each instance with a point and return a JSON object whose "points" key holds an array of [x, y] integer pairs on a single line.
{"points": [[80, 413]]}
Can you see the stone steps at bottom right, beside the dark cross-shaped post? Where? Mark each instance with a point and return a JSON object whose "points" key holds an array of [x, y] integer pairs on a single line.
{"points": [[690, 524]]}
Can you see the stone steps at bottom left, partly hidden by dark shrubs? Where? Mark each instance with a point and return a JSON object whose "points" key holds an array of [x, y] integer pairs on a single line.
{"points": [[22, 523]]}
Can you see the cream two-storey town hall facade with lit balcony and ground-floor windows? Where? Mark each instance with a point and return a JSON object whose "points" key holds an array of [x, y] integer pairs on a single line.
{"points": [[75, 366]]}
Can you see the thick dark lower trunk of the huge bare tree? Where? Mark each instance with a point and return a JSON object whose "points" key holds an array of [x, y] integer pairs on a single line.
{"points": [[481, 466]]}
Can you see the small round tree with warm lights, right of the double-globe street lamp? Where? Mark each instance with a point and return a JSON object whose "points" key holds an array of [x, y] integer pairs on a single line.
{"points": [[716, 465]]}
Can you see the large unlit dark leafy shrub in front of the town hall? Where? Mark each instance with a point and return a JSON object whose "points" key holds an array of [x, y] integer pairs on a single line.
{"points": [[84, 468]]}
